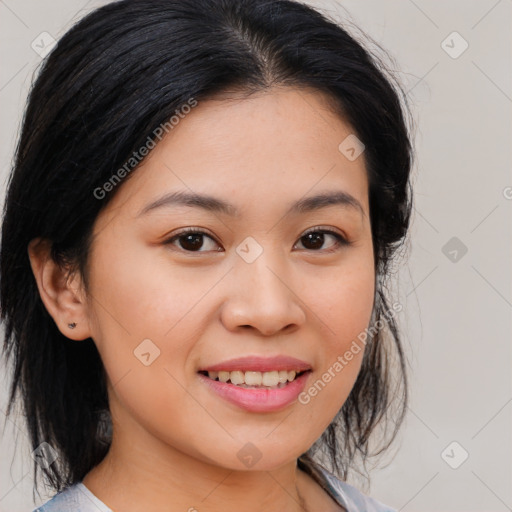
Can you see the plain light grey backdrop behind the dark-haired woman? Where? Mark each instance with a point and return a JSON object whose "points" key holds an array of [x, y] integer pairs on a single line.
{"points": [[456, 318]]}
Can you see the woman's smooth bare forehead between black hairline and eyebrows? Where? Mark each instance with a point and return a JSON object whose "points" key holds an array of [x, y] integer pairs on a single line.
{"points": [[271, 147]]}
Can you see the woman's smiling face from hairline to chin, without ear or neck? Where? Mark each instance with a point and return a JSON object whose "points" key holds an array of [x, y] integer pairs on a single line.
{"points": [[273, 275]]}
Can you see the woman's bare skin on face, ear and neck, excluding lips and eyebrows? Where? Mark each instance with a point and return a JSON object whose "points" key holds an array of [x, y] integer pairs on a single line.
{"points": [[175, 442]]}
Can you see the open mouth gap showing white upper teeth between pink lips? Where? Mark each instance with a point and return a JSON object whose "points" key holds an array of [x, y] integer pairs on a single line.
{"points": [[276, 379]]}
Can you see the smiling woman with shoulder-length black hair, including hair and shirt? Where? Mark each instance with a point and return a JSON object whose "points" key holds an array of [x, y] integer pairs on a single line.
{"points": [[205, 202]]}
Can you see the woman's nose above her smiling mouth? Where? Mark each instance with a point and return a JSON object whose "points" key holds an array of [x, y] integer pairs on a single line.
{"points": [[262, 295]]}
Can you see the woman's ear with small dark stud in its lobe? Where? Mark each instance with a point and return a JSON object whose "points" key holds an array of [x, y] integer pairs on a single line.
{"points": [[62, 295]]}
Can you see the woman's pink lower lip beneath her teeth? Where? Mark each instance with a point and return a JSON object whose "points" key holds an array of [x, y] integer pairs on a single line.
{"points": [[258, 400]]}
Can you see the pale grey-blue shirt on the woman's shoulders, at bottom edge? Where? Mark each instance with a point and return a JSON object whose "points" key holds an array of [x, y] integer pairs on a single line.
{"points": [[78, 498]]}
